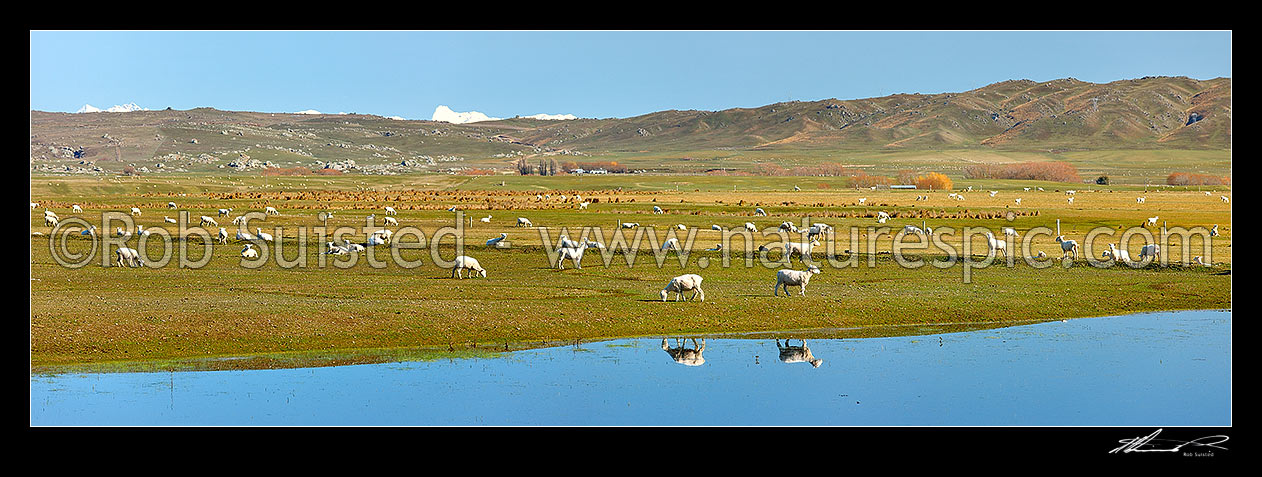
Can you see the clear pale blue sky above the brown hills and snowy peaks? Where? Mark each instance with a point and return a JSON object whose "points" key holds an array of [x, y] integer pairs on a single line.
{"points": [[585, 74]]}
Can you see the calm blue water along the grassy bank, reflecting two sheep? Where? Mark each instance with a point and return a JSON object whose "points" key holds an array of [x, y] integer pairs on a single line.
{"points": [[1141, 370]]}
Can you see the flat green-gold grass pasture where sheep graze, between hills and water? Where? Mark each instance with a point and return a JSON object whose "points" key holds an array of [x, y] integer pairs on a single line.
{"points": [[98, 314]]}
